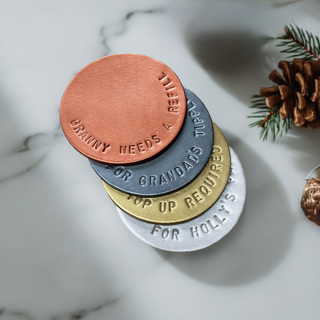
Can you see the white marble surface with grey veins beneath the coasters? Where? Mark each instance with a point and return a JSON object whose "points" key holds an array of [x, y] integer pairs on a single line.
{"points": [[64, 252]]}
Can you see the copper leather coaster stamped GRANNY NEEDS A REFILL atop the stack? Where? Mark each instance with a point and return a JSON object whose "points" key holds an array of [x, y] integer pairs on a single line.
{"points": [[123, 109]]}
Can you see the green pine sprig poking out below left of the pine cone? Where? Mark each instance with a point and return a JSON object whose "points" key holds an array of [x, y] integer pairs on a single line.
{"points": [[269, 121]]}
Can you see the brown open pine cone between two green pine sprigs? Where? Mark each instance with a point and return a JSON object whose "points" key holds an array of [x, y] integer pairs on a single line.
{"points": [[297, 93]]}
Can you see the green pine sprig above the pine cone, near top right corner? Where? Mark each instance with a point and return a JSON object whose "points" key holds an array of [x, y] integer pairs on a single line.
{"points": [[299, 43]]}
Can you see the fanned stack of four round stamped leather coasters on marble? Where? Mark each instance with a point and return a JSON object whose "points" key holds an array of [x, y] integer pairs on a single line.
{"points": [[177, 184]]}
